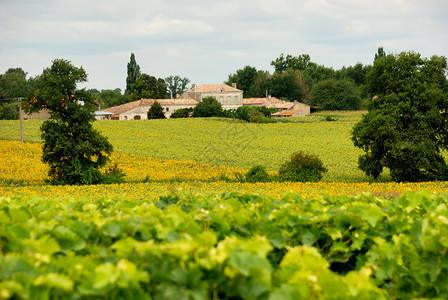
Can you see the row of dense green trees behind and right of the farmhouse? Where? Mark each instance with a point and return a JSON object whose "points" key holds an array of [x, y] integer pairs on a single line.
{"points": [[298, 78]]}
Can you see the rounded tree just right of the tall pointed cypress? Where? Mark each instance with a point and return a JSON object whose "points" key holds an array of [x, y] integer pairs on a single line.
{"points": [[148, 87]]}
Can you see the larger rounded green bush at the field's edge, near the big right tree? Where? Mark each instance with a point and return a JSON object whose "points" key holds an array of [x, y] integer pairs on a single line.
{"points": [[302, 167]]}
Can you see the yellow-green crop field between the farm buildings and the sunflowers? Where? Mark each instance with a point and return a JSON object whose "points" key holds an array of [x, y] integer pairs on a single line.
{"points": [[225, 142]]}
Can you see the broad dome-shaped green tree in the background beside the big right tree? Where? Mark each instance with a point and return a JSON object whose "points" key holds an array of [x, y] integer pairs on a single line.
{"points": [[335, 94]]}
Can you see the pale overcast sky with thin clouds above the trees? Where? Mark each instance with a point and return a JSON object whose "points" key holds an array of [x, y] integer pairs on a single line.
{"points": [[207, 40]]}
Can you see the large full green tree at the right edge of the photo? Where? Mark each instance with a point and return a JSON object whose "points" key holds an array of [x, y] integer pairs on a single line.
{"points": [[406, 127]]}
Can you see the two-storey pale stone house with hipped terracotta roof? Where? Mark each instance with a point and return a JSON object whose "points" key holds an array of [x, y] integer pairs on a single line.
{"points": [[229, 96]]}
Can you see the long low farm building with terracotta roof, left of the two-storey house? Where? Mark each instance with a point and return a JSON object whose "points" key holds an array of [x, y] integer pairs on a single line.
{"points": [[138, 110]]}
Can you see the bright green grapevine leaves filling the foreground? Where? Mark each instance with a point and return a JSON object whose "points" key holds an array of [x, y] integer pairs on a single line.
{"points": [[228, 246]]}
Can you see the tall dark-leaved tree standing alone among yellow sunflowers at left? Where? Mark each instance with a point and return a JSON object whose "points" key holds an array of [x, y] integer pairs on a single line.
{"points": [[73, 149]]}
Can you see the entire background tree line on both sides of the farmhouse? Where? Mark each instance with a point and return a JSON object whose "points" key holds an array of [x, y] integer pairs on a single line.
{"points": [[294, 78]]}
